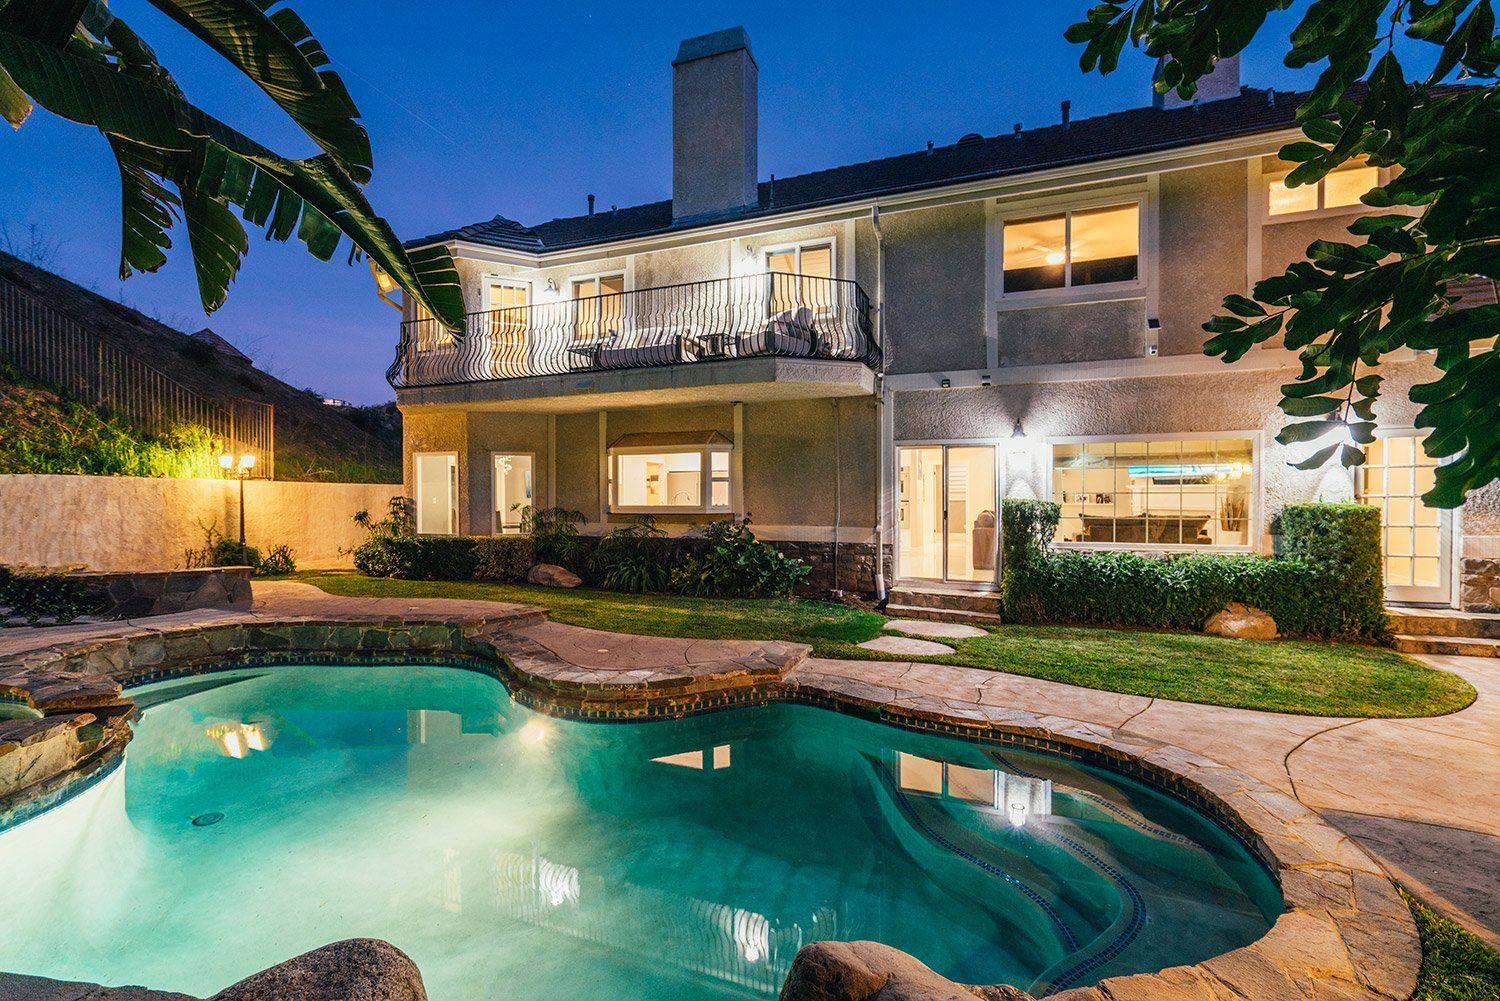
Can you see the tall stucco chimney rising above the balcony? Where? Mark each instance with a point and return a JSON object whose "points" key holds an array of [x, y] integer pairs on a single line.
{"points": [[715, 125]]}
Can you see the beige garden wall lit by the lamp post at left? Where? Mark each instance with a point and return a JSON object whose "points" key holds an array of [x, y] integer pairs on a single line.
{"points": [[127, 523]]}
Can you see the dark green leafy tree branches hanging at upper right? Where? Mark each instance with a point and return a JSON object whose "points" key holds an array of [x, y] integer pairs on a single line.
{"points": [[1351, 305]]}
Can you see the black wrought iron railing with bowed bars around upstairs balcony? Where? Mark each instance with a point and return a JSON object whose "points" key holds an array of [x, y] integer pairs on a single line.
{"points": [[757, 316]]}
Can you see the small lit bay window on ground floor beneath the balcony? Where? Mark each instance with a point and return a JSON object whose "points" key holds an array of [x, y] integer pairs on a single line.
{"points": [[661, 473]]}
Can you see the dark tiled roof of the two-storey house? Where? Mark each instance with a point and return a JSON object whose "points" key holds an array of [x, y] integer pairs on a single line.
{"points": [[1082, 142]]}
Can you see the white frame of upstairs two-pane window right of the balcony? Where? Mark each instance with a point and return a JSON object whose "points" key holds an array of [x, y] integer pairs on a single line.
{"points": [[1103, 292]]}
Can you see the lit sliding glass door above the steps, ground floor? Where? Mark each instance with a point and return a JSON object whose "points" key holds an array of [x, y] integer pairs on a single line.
{"points": [[949, 516]]}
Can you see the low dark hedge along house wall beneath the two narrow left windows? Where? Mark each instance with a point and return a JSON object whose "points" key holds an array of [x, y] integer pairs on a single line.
{"points": [[446, 558]]}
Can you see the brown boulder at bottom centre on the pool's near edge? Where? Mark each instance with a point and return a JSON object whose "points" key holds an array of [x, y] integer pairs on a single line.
{"points": [[871, 972]]}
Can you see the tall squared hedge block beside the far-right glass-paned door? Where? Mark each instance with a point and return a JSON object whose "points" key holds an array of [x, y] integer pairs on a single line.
{"points": [[1342, 546]]}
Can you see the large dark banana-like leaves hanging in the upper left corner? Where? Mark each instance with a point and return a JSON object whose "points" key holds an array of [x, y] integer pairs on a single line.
{"points": [[181, 164]]}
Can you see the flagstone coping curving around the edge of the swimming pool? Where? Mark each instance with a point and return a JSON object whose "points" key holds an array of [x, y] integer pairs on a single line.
{"points": [[1345, 934]]}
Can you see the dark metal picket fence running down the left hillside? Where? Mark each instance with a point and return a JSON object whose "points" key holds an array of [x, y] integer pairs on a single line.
{"points": [[53, 349]]}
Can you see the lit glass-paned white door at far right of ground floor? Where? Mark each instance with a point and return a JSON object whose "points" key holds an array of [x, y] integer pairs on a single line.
{"points": [[1418, 541]]}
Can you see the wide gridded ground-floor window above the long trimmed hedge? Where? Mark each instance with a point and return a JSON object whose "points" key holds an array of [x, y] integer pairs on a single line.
{"points": [[1156, 493]]}
